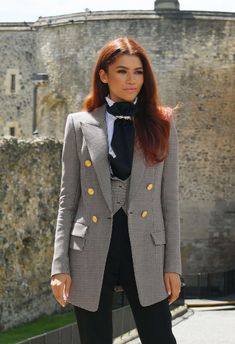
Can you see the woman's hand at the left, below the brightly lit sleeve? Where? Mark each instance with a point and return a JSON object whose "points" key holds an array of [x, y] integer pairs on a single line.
{"points": [[60, 284]]}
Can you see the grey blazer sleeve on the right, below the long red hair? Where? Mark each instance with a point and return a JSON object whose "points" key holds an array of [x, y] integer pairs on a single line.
{"points": [[170, 204]]}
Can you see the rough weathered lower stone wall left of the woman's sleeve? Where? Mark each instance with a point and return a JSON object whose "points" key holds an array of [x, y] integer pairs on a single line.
{"points": [[29, 187]]}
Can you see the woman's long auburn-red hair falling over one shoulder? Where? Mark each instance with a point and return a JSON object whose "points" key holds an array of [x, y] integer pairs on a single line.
{"points": [[152, 122]]}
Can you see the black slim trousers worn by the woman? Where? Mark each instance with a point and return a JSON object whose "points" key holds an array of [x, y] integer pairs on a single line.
{"points": [[153, 322]]}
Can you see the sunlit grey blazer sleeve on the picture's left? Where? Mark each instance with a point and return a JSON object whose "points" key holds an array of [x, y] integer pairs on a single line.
{"points": [[68, 199]]}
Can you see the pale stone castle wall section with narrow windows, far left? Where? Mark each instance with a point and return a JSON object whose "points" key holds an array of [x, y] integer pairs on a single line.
{"points": [[17, 57]]}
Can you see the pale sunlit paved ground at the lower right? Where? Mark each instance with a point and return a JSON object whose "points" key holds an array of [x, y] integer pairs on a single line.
{"points": [[204, 325]]}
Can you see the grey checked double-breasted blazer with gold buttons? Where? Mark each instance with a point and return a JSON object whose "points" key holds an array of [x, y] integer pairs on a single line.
{"points": [[85, 215]]}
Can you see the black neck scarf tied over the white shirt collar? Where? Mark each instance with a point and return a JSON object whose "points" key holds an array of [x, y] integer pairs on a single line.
{"points": [[123, 138]]}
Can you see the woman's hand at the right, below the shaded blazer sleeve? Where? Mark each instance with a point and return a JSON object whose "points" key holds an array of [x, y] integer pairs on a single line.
{"points": [[173, 285]]}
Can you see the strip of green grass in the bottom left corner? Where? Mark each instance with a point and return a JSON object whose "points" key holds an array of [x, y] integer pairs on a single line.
{"points": [[36, 327]]}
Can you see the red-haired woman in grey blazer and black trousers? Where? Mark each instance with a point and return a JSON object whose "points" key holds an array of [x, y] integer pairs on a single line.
{"points": [[118, 218]]}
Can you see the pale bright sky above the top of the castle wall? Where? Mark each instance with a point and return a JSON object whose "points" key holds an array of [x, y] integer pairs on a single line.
{"points": [[30, 10]]}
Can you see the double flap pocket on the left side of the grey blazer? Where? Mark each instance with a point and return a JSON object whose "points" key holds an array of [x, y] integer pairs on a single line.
{"points": [[78, 236]]}
